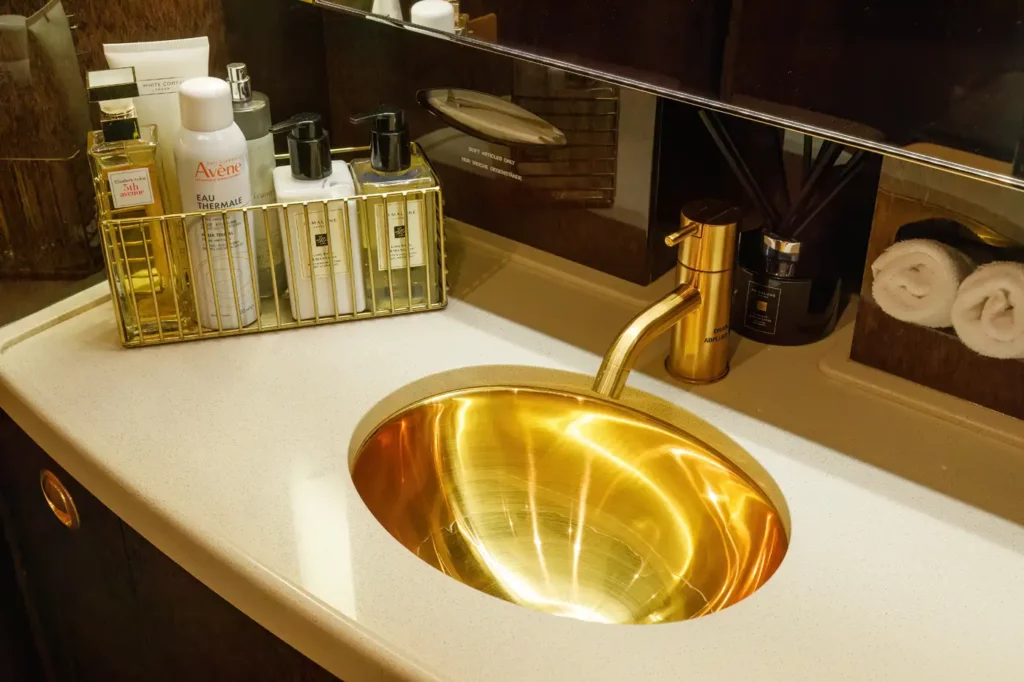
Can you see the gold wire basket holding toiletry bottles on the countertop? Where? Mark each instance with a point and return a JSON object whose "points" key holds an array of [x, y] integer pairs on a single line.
{"points": [[161, 296]]}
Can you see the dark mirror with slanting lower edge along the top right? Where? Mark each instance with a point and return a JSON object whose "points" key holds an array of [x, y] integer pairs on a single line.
{"points": [[941, 84]]}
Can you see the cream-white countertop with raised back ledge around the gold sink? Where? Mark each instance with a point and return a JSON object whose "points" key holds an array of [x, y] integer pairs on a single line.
{"points": [[233, 457]]}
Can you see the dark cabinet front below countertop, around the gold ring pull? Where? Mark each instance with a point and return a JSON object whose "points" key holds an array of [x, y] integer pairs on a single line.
{"points": [[107, 606]]}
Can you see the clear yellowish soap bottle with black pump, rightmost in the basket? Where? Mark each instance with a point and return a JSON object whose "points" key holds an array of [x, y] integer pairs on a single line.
{"points": [[402, 229]]}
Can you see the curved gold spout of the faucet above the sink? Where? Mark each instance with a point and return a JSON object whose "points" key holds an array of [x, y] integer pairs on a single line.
{"points": [[643, 330]]}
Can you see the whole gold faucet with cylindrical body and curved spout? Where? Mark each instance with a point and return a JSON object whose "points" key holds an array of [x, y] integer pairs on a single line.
{"points": [[697, 311]]}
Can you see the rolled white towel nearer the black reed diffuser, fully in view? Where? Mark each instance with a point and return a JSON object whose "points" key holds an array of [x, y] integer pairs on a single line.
{"points": [[917, 281]]}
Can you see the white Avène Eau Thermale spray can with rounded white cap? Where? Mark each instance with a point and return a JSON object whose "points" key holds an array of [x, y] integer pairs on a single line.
{"points": [[214, 176]]}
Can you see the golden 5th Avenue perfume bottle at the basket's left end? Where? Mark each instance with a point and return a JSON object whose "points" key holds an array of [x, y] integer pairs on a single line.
{"points": [[130, 185]]}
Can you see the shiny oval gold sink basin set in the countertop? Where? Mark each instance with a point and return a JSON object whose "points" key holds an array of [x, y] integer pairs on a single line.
{"points": [[571, 505]]}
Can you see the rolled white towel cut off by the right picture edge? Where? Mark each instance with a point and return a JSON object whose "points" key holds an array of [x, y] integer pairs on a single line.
{"points": [[989, 314]]}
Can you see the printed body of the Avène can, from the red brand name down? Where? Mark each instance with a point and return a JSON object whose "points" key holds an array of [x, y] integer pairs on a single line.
{"points": [[221, 185]]}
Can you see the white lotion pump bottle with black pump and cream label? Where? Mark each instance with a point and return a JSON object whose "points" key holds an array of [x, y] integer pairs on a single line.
{"points": [[313, 252]]}
